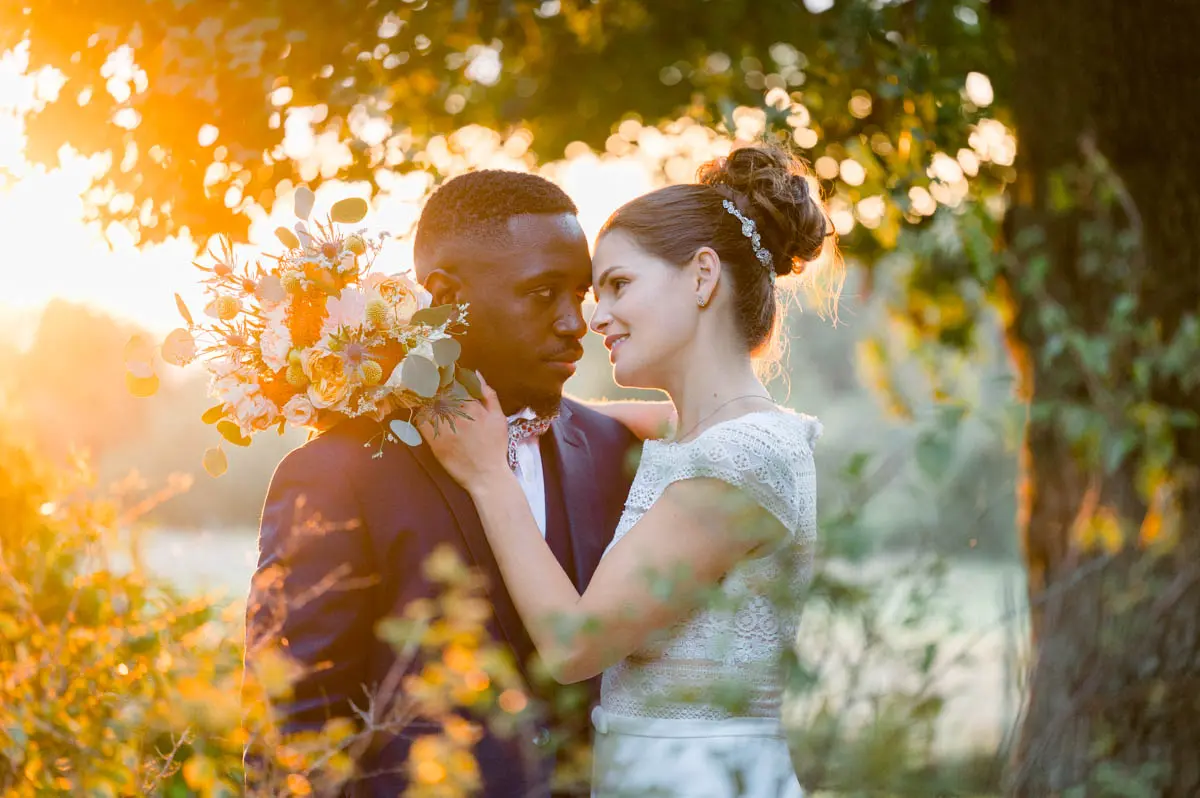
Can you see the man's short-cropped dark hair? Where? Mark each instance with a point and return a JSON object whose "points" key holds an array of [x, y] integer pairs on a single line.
{"points": [[478, 206]]}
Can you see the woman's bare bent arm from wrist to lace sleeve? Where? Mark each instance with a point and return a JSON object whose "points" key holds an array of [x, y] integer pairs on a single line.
{"points": [[653, 578]]}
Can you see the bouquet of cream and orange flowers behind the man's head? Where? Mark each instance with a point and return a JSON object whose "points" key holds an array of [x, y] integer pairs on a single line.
{"points": [[316, 338]]}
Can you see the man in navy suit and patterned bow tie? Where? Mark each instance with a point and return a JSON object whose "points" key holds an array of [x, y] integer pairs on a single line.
{"points": [[509, 245]]}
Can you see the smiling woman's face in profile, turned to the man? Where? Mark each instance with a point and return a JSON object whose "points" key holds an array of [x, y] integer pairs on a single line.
{"points": [[646, 311]]}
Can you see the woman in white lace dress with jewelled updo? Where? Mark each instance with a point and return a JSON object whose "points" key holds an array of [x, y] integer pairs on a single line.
{"points": [[685, 280]]}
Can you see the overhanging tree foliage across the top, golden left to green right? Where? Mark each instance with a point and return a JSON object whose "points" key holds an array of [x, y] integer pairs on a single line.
{"points": [[880, 83]]}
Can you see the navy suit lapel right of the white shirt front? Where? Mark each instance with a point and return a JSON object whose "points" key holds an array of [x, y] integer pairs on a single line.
{"points": [[579, 496]]}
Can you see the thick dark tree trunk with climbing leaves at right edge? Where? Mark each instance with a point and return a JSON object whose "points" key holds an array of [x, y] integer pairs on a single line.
{"points": [[1115, 689]]}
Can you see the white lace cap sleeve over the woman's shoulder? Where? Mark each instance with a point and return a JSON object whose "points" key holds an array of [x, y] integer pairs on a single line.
{"points": [[767, 455]]}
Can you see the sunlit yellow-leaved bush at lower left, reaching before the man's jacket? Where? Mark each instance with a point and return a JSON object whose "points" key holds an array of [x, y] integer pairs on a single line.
{"points": [[112, 683]]}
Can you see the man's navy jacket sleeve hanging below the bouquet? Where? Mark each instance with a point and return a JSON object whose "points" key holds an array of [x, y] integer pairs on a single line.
{"points": [[311, 593]]}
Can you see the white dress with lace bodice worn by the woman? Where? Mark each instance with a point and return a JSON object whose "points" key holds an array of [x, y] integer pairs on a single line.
{"points": [[665, 724]]}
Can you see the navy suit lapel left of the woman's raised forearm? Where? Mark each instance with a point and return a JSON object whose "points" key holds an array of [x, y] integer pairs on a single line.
{"points": [[467, 518]]}
